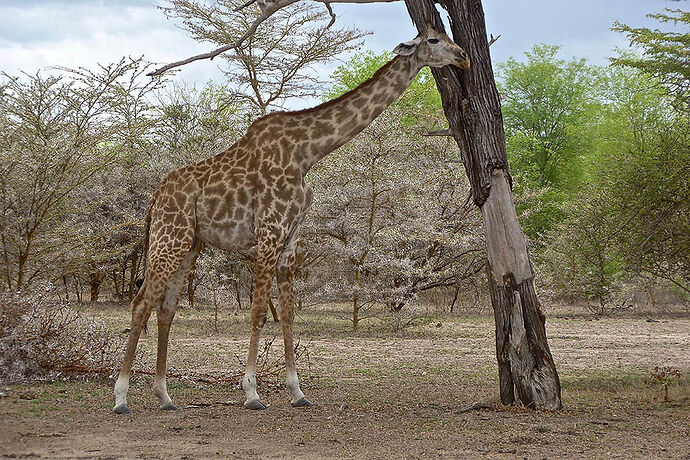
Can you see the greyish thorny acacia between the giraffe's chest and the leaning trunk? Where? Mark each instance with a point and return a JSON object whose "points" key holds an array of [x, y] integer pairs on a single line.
{"points": [[388, 211]]}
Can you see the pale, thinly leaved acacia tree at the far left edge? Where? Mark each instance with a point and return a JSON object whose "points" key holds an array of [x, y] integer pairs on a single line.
{"points": [[59, 132]]}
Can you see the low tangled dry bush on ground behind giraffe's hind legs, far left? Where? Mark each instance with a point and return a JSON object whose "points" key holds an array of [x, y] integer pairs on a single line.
{"points": [[42, 338]]}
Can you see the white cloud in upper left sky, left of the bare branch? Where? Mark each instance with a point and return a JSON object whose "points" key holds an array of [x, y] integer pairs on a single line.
{"points": [[43, 34]]}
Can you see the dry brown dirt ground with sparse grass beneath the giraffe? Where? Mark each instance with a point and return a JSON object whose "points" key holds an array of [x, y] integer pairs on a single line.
{"points": [[376, 395]]}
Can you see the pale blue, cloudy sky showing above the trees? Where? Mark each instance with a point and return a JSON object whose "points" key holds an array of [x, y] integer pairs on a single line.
{"points": [[40, 33]]}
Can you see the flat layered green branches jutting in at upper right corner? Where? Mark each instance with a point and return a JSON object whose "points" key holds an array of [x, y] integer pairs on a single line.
{"points": [[665, 53]]}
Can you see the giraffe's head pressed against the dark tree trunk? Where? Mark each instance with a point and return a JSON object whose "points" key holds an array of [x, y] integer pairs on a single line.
{"points": [[435, 49]]}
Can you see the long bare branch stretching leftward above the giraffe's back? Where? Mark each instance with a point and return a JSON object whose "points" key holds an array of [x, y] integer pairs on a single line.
{"points": [[268, 8]]}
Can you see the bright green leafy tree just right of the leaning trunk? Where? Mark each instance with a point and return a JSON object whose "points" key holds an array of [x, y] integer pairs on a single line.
{"points": [[545, 103]]}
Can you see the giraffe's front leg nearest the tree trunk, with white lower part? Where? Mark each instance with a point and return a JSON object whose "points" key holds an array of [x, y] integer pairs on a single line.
{"points": [[285, 276]]}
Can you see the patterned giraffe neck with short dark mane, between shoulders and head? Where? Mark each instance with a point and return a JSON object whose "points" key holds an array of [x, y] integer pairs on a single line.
{"points": [[334, 123]]}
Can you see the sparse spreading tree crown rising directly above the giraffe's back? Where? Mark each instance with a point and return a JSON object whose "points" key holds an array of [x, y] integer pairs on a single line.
{"points": [[277, 61]]}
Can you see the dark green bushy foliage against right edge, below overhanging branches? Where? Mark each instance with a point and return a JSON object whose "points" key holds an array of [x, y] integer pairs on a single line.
{"points": [[650, 188]]}
